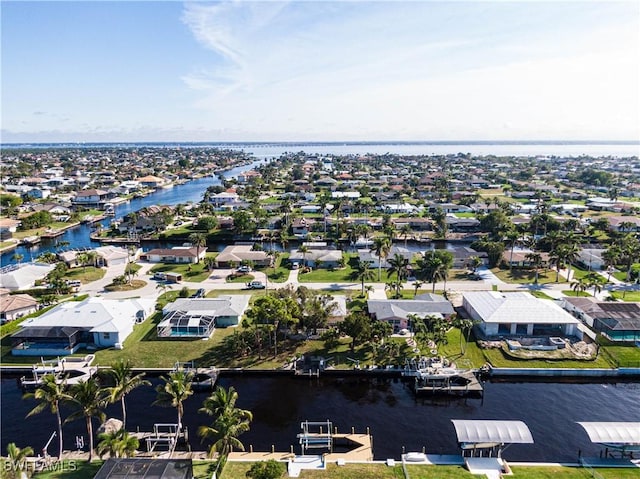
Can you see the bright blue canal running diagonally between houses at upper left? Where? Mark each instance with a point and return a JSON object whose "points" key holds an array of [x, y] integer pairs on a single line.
{"points": [[79, 237]]}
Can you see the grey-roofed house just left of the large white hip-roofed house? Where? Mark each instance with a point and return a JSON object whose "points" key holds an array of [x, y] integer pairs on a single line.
{"points": [[397, 311]]}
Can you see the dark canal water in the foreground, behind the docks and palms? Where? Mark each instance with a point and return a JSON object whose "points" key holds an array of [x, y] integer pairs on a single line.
{"points": [[394, 416]]}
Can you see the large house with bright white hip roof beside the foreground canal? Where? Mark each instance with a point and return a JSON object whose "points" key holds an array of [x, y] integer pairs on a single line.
{"points": [[520, 313]]}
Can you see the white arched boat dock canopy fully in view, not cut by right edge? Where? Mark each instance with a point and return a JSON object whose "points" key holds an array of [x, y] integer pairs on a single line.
{"points": [[505, 432]]}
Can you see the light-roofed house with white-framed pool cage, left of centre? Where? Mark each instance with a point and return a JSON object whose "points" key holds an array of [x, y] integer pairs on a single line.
{"points": [[198, 317]]}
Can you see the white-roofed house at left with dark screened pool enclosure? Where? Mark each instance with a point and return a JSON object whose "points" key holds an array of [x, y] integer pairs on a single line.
{"points": [[92, 323]]}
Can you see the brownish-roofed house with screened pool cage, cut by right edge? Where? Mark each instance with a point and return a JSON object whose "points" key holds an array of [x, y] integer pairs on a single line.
{"points": [[617, 321]]}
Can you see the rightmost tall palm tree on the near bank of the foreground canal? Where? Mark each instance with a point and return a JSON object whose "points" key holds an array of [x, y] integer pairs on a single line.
{"points": [[229, 423]]}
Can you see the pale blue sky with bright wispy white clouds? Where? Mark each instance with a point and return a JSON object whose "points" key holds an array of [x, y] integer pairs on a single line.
{"points": [[319, 71]]}
